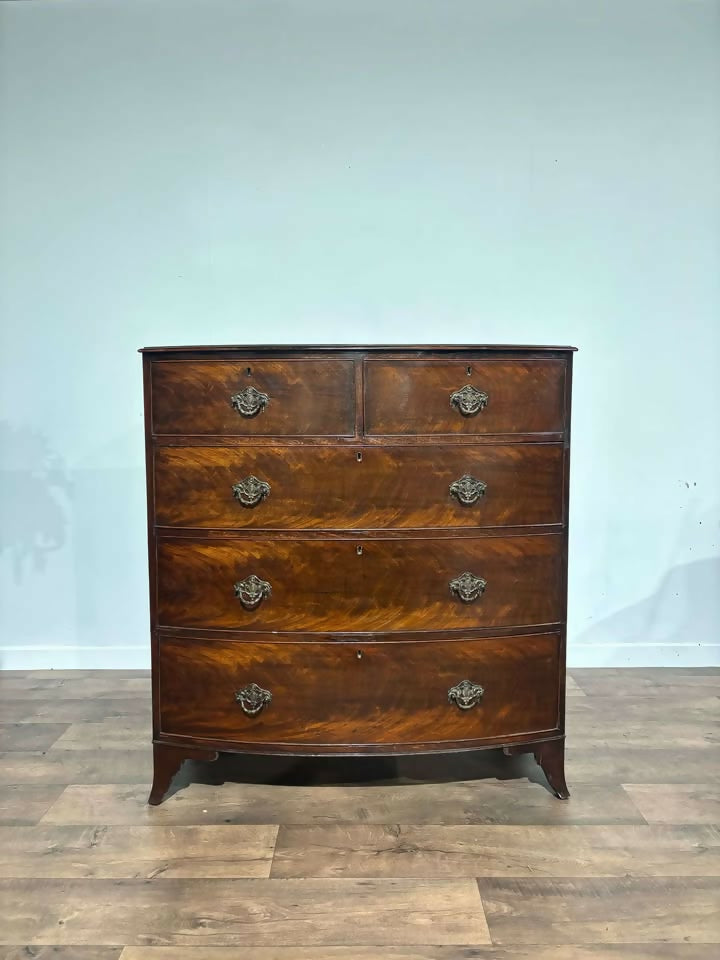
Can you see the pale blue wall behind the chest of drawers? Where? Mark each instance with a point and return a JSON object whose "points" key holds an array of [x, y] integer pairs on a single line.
{"points": [[232, 171]]}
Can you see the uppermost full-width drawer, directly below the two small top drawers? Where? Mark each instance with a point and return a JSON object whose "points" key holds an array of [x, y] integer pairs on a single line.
{"points": [[328, 487]]}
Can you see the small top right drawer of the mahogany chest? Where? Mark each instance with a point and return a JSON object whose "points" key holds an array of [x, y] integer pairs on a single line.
{"points": [[414, 396]]}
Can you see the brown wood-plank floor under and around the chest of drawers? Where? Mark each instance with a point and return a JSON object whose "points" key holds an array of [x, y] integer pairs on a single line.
{"points": [[431, 858]]}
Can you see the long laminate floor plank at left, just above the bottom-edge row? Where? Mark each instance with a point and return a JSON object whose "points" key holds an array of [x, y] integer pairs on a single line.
{"points": [[241, 913]]}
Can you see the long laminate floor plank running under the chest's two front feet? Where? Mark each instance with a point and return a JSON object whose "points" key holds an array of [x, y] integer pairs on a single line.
{"points": [[279, 799]]}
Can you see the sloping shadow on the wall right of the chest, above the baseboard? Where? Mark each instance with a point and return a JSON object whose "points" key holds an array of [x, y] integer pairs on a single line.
{"points": [[688, 594]]}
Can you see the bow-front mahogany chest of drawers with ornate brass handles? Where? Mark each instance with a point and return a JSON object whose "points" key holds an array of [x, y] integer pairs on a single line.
{"points": [[357, 550]]}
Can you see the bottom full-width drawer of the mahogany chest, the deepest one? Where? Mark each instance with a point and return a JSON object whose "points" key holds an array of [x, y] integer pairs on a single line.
{"points": [[359, 693]]}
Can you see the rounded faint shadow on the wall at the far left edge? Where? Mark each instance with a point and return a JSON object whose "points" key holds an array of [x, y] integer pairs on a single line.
{"points": [[33, 480]]}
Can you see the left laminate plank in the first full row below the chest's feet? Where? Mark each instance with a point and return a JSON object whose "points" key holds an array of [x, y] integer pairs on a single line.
{"points": [[58, 852]]}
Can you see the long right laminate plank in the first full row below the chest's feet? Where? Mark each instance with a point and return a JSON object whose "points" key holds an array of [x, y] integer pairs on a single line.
{"points": [[370, 850]]}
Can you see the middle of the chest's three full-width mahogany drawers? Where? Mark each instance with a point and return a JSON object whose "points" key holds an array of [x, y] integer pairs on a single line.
{"points": [[360, 585]]}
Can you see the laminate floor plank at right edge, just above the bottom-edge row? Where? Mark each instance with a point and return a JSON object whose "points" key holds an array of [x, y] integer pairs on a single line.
{"points": [[576, 911]]}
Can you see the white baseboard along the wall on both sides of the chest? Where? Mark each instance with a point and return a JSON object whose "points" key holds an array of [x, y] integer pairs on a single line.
{"points": [[579, 655]]}
